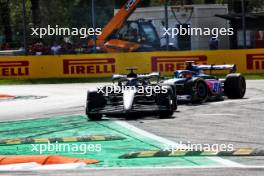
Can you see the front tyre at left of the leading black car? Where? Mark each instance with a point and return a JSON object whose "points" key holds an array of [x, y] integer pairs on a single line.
{"points": [[94, 100]]}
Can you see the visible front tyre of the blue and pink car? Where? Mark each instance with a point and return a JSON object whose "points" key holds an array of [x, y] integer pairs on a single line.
{"points": [[200, 92]]}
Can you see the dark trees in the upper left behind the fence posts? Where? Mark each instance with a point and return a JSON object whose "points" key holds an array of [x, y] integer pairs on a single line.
{"points": [[65, 13]]}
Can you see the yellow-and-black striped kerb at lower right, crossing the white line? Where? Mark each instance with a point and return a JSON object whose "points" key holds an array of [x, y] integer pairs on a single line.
{"points": [[183, 153]]}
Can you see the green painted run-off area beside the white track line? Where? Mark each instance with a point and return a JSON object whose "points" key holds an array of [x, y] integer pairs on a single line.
{"points": [[77, 125]]}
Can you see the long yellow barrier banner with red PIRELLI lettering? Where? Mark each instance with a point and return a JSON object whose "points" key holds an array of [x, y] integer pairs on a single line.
{"points": [[104, 65]]}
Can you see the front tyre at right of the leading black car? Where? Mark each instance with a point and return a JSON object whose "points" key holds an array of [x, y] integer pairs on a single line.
{"points": [[166, 100]]}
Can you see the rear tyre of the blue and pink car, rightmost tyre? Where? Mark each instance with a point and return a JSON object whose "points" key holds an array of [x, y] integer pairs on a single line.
{"points": [[235, 86]]}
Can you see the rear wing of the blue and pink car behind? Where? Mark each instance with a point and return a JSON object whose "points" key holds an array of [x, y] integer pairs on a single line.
{"points": [[231, 67]]}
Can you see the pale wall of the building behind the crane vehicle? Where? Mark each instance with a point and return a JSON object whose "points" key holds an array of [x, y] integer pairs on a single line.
{"points": [[203, 16]]}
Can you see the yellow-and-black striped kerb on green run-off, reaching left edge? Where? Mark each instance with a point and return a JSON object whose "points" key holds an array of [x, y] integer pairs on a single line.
{"points": [[61, 139]]}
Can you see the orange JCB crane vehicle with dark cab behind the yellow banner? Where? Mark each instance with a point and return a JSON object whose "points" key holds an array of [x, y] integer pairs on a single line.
{"points": [[142, 38]]}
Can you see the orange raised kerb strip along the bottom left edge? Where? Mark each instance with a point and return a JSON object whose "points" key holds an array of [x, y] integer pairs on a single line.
{"points": [[44, 160]]}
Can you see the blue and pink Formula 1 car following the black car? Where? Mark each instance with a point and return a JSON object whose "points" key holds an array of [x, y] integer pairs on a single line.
{"points": [[195, 86]]}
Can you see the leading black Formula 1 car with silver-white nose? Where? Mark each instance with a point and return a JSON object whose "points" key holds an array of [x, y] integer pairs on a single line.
{"points": [[132, 94]]}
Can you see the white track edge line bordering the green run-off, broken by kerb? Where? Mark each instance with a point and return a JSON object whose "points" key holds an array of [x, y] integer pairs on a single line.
{"points": [[225, 162]]}
